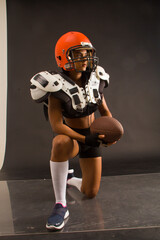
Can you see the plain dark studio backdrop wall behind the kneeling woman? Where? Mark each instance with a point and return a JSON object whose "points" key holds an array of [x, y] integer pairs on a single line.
{"points": [[126, 35]]}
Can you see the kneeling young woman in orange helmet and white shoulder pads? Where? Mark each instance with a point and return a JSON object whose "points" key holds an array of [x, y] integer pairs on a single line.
{"points": [[73, 96]]}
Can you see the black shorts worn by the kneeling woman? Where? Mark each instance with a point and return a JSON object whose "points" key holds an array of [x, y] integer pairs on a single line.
{"points": [[84, 150]]}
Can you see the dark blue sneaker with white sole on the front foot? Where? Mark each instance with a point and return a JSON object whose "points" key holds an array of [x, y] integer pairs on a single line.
{"points": [[56, 219]]}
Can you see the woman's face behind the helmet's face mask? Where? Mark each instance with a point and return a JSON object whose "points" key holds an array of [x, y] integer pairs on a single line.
{"points": [[81, 65]]}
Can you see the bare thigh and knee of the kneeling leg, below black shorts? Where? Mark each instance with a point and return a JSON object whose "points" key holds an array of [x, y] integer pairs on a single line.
{"points": [[91, 175]]}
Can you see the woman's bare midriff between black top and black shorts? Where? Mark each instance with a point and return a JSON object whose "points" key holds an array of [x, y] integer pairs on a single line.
{"points": [[80, 123]]}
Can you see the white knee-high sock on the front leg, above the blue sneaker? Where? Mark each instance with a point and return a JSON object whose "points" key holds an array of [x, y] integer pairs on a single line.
{"points": [[59, 172]]}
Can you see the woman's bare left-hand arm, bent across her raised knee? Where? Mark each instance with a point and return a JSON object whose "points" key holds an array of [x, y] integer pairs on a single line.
{"points": [[56, 120]]}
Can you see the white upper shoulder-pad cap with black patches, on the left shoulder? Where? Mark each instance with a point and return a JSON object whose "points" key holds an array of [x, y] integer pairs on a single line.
{"points": [[47, 82]]}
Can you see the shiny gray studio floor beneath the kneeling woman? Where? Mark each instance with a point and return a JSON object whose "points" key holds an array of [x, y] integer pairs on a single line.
{"points": [[126, 205]]}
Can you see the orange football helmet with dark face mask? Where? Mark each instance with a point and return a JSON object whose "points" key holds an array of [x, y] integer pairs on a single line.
{"points": [[65, 47]]}
